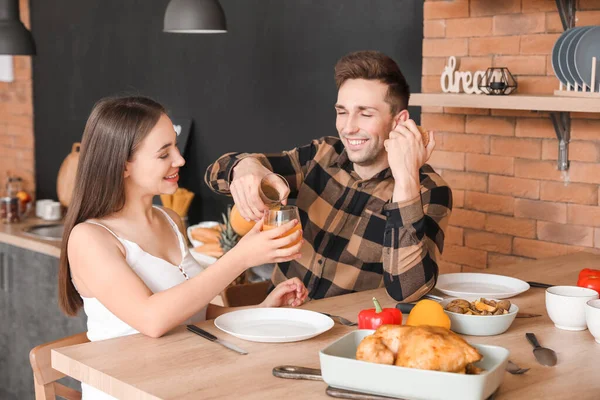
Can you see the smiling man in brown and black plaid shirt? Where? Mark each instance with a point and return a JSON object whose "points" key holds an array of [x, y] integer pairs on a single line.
{"points": [[373, 213]]}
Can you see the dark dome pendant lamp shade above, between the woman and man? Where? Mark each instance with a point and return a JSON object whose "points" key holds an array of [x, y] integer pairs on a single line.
{"points": [[195, 16]]}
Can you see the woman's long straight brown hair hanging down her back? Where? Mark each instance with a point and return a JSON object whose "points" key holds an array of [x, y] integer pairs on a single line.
{"points": [[112, 134]]}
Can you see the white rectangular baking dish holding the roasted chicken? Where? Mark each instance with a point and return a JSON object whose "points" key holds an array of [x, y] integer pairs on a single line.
{"points": [[340, 369]]}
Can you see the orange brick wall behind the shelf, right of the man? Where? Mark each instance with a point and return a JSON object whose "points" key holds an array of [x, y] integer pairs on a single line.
{"points": [[511, 203]]}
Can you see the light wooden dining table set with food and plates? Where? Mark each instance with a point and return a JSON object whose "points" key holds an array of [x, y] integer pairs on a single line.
{"points": [[182, 365]]}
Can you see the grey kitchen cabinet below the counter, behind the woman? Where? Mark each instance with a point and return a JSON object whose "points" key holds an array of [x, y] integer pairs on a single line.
{"points": [[29, 316]]}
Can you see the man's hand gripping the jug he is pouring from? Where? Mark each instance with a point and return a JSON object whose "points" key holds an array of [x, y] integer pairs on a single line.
{"points": [[245, 188]]}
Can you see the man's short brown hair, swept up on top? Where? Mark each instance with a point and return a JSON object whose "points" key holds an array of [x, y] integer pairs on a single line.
{"points": [[374, 65]]}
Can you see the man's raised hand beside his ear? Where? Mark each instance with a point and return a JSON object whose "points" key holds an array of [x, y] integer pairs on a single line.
{"points": [[406, 154]]}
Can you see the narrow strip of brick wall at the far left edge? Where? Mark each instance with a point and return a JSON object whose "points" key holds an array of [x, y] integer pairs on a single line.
{"points": [[16, 119]]}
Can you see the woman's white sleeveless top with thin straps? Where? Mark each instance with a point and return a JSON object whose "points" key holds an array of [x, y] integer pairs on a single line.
{"points": [[157, 274]]}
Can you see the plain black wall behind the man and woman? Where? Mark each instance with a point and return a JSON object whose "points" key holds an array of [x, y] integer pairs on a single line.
{"points": [[266, 85]]}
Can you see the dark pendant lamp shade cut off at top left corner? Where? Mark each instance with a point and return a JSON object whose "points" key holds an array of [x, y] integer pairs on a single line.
{"points": [[15, 39]]}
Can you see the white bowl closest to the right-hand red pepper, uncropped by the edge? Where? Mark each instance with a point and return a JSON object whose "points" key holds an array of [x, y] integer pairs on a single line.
{"points": [[566, 306]]}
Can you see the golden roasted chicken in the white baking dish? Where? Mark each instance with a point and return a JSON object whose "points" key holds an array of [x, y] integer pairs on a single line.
{"points": [[422, 347]]}
